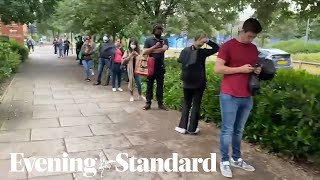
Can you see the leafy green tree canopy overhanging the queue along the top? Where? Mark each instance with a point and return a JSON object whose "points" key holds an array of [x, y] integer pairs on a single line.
{"points": [[136, 17]]}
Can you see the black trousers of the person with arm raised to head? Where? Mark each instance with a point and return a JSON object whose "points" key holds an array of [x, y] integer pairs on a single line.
{"points": [[192, 97]]}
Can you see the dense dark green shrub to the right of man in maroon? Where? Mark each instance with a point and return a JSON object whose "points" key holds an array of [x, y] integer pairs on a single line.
{"points": [[286, 115]]}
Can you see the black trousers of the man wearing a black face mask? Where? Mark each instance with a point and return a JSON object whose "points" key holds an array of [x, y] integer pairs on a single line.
{"points": [[159, 78]]}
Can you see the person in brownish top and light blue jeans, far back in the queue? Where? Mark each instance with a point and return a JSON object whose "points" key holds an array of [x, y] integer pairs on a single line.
{"points": [[87, 50]]}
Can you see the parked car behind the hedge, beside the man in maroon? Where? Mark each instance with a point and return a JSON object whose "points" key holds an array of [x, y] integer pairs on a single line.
{"points": [[281, 59]]}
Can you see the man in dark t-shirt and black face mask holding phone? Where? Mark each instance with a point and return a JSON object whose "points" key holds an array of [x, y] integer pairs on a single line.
{"points": [[155, 47]]}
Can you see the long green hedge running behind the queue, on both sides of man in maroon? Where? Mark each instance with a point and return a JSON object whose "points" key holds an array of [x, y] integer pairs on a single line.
{"points": [[285, 118]]}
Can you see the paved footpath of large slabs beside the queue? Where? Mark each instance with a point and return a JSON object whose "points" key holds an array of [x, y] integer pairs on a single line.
{"points": [[49, 109]]}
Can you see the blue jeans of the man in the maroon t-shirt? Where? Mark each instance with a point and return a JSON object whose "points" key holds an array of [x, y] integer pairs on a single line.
{"points": [[235, 112]]}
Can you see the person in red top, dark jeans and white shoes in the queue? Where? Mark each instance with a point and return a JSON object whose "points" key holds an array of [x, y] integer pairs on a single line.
{"points": [[116, 67]]}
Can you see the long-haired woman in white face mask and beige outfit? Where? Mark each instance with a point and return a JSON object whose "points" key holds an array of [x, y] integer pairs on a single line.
{"points": [[130, 60]]}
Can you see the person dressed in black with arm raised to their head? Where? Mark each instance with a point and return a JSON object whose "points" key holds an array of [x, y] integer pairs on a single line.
{"points": [[193, 60]]}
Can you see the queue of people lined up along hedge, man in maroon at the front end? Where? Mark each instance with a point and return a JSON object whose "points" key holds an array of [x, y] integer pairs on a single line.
{"points": [[237, 61]]}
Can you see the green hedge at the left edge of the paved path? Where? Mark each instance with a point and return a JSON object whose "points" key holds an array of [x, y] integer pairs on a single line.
{"points": [[11, 55]]}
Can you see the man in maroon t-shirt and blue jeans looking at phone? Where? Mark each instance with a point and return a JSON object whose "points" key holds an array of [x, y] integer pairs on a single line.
{"points": [[236, 61]]}
